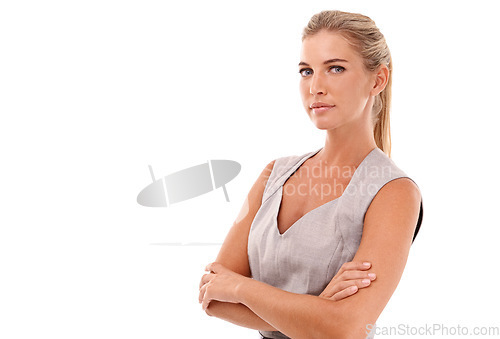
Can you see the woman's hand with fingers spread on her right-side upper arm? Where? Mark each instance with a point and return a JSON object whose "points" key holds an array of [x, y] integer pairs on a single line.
{"points": [[349, 279]]}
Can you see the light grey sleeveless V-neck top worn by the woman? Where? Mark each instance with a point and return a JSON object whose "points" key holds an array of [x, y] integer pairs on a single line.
{"points": [[306, 257]]}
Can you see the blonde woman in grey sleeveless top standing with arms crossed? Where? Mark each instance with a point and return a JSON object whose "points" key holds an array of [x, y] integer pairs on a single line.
{"points": [[292, 265]]}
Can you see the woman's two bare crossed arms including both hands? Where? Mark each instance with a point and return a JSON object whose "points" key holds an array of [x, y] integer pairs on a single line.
{"points": [[228, 293]]}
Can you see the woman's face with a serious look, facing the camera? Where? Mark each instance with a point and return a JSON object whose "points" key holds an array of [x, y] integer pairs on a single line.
{"points": [[336, 88]]}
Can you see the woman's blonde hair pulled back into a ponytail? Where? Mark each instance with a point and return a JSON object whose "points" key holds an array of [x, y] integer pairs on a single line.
{"points": [[365, 37]]}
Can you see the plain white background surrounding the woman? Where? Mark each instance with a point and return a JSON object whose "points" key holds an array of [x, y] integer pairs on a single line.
{"points": [[92, 92]]}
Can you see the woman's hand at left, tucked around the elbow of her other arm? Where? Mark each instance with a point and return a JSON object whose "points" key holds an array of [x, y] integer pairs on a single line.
{"points": [[220, 284]]}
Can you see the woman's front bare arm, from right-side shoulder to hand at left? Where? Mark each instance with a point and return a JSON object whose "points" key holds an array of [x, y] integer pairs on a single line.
{"points": [[388, 231]]}
